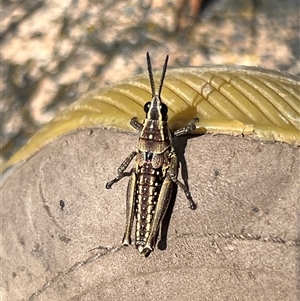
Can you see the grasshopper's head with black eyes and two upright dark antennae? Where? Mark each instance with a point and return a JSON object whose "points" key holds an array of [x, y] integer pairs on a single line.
{"points": [[156, 109]]}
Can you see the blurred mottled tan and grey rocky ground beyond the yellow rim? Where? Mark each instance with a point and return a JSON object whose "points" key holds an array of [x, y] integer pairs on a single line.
{"points": [[53, 52]]}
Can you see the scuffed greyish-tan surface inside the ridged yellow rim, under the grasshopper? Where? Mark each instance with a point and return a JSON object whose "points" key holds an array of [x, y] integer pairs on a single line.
{"points": [[242, 243]]}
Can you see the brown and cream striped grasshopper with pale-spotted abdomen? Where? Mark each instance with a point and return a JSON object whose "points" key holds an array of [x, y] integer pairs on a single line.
{"points": [[154, 173]]}
